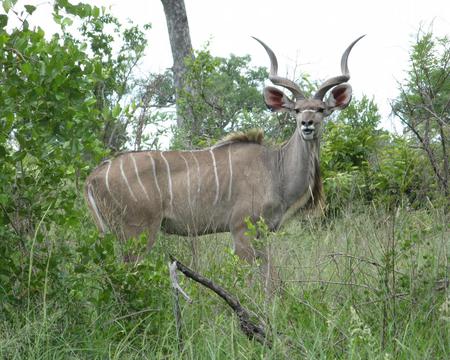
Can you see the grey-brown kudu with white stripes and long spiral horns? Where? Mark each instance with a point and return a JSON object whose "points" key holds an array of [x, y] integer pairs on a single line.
{"points": [[217, 188]]}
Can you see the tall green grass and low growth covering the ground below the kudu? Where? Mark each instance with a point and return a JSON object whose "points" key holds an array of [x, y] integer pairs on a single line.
{"points": [[364, 285]]}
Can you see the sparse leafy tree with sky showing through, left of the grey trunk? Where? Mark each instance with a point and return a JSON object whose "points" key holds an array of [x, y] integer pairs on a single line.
{"points": [[115, 92]]}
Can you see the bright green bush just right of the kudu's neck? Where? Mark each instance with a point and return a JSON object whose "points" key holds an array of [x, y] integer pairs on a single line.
{"points": [[351, 143]]}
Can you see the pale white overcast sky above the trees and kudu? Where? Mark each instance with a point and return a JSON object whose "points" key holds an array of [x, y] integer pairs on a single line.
{"points": [[306, 36]]}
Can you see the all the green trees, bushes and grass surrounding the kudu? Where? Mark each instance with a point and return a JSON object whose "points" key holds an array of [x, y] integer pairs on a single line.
{"points": [[369, 279]]}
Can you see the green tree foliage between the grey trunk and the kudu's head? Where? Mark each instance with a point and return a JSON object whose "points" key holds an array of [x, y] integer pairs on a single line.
{"points": [[224, 95]]}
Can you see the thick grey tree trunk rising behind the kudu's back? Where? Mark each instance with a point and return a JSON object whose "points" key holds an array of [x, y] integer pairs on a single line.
{"points": [[180, 42]]}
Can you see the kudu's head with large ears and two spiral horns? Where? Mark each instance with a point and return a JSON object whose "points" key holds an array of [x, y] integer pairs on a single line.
{"points": [[309, 112]]}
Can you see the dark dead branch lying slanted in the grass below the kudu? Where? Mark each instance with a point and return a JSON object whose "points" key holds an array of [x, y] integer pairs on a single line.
{"points": [[250, 329]]}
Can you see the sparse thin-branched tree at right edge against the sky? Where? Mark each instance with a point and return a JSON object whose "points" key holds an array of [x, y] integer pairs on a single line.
{"points": [[423, 105]]}
